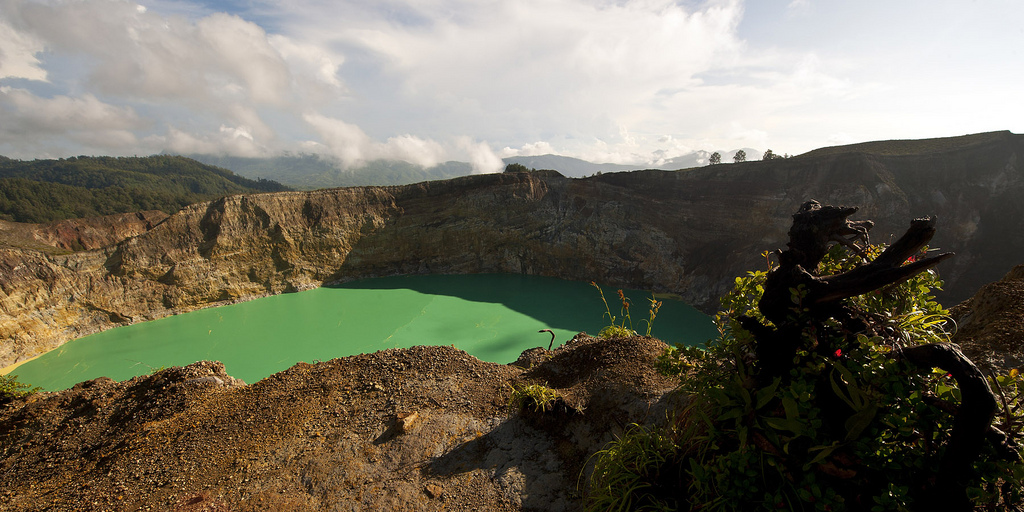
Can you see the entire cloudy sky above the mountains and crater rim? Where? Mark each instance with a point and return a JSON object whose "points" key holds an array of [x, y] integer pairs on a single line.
{"points": [[426, 81]]}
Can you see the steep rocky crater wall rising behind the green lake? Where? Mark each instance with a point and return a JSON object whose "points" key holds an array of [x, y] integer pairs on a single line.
{"points": [[690, 233]]}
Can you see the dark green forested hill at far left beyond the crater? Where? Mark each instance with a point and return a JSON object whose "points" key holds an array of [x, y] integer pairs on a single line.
{"points": [[44, 191]]}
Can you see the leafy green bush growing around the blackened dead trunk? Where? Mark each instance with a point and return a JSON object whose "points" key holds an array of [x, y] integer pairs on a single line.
{"points": [[747, 445]]}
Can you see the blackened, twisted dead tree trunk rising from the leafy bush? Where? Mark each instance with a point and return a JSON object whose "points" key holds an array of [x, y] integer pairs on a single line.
{"points": [[816, 229]]}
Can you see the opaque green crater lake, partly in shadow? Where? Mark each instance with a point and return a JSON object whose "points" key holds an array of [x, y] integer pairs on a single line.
{"points": [[492, 317]]}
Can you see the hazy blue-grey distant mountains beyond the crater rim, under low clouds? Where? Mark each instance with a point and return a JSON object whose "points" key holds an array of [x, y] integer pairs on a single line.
{"points": [[314, 172]]}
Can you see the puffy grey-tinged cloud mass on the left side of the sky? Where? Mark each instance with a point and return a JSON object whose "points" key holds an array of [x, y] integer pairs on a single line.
{"points": [[195, 76]]}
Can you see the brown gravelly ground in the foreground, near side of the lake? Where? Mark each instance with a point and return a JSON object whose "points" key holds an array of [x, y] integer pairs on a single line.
{"points": [[425, 429]]}
